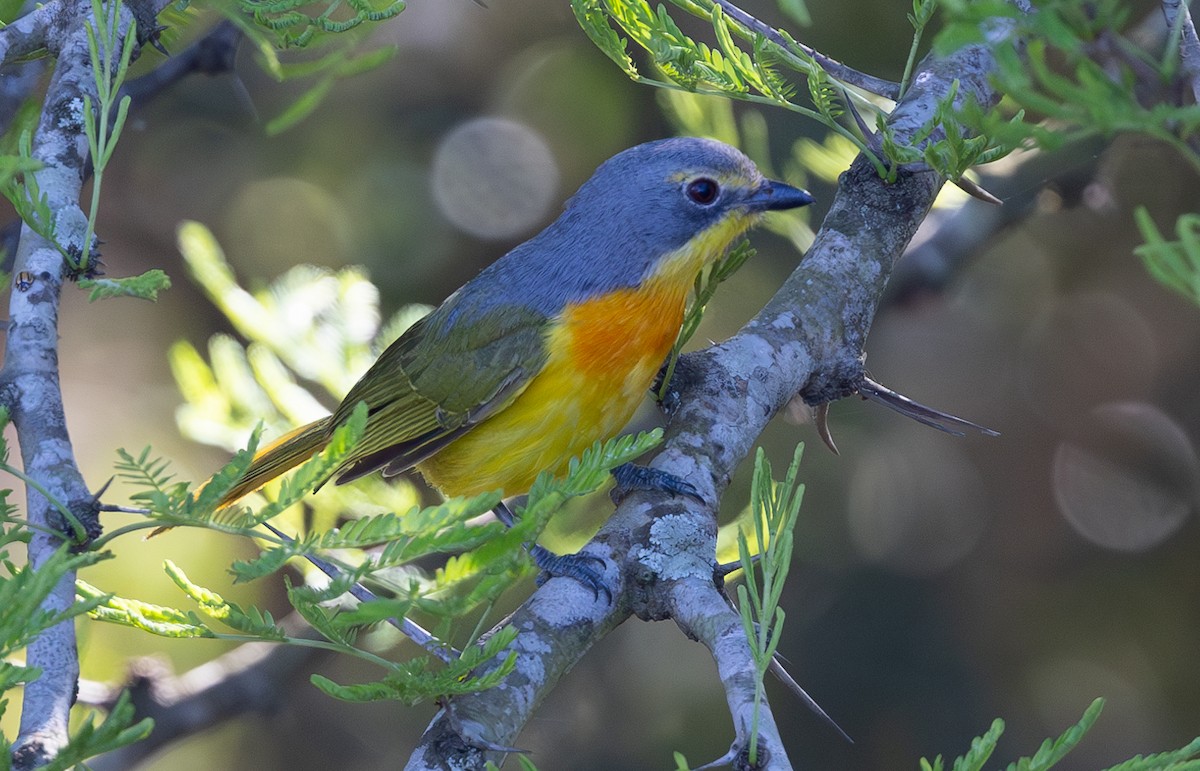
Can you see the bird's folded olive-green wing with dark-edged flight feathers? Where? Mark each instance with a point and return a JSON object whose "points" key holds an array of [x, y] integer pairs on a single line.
{"points": [[439, 381]]}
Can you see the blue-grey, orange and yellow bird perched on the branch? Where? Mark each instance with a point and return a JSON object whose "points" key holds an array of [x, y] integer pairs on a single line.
{"points": [[556, 344]]}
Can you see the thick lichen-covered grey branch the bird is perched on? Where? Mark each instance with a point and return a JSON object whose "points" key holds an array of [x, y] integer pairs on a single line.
{"points": [[808, 340]]}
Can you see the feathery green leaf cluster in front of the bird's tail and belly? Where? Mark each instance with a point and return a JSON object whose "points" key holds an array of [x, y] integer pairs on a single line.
{"points": [[494, 560]]}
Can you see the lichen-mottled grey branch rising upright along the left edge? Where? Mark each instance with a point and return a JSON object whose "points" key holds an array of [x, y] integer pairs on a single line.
{"points": [[29, 382]]}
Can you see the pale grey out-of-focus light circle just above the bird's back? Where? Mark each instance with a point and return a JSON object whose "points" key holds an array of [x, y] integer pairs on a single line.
{"points": [[495, 178]]}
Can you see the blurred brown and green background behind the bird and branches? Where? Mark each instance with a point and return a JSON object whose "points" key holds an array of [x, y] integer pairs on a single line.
{"points": [[939, 582]]}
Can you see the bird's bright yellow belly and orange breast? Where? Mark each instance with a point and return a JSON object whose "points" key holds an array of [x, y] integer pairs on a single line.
{"points": [[603, 357]]}
